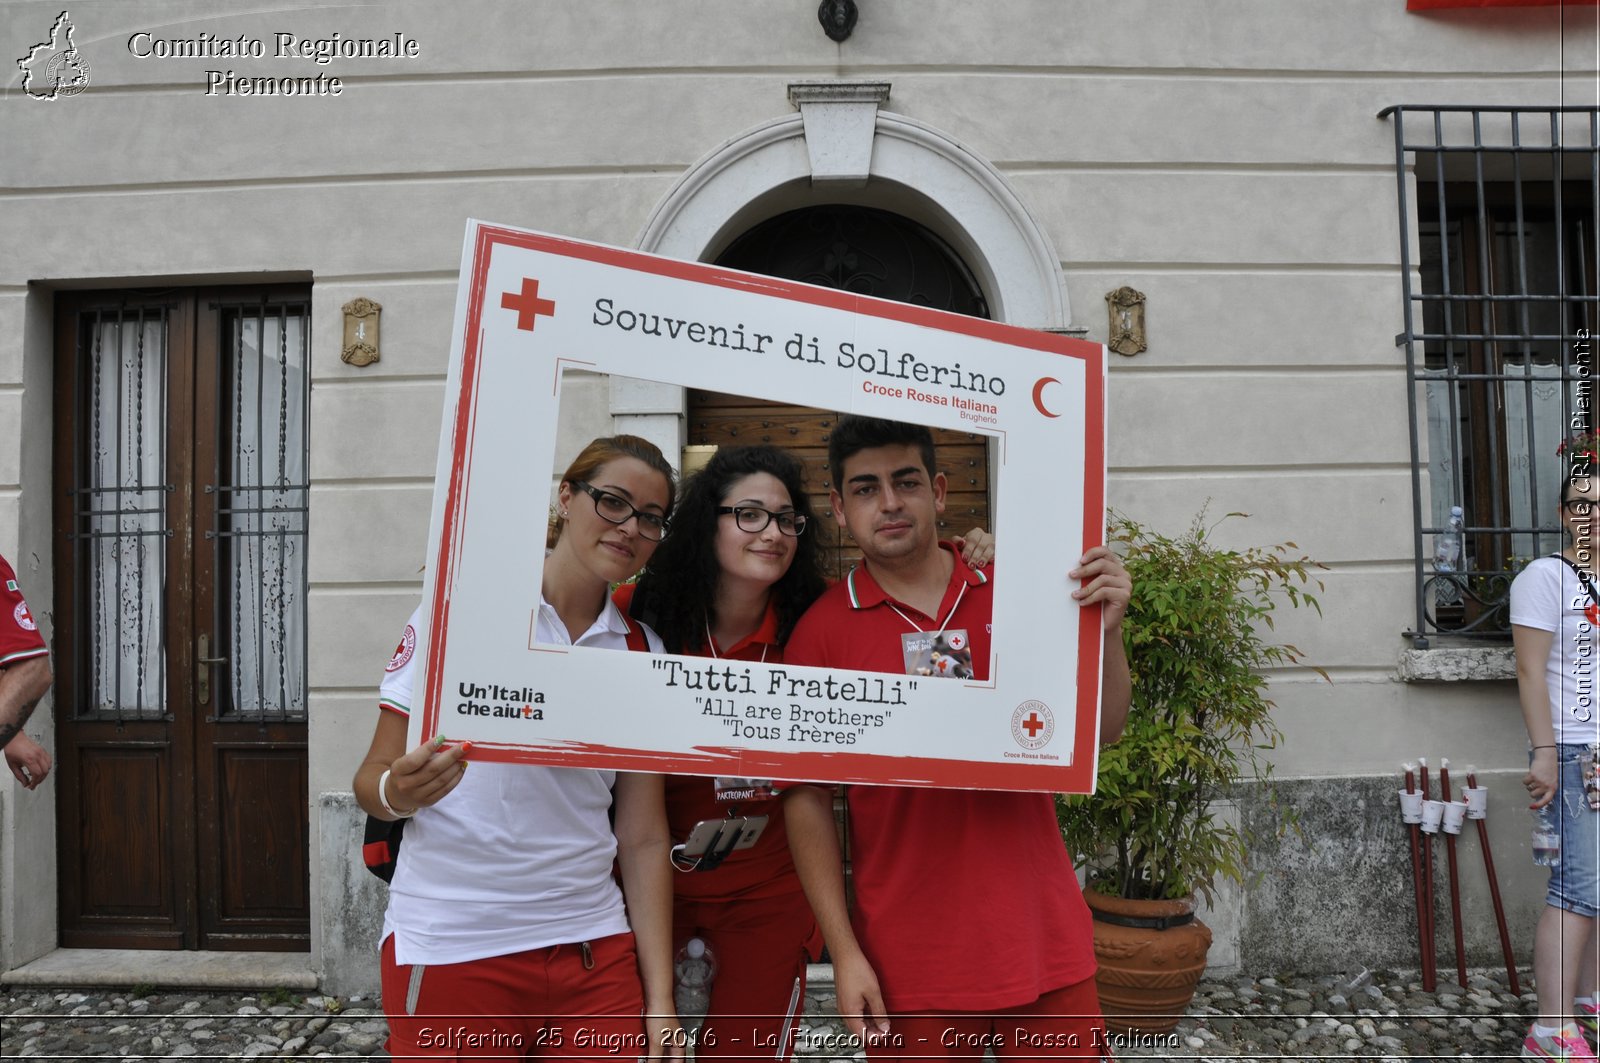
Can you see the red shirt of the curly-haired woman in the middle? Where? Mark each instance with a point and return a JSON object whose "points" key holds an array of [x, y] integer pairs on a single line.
{"points": [[764, 870]]}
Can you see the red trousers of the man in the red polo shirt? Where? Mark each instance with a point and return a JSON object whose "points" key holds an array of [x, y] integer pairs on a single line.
{"points": [[1062, 1025]]}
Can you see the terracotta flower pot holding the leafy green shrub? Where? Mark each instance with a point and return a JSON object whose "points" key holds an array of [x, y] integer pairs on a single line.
{"points": [[1151, 958]]}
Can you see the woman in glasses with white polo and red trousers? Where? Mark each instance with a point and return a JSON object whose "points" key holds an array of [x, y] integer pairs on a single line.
{"points": [[506, 931]]}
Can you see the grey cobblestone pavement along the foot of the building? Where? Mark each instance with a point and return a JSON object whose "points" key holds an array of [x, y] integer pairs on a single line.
{"points": [[1385, 1016]]}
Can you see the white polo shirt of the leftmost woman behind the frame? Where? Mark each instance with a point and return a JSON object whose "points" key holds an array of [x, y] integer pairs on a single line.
{"points": [[518, 857]]}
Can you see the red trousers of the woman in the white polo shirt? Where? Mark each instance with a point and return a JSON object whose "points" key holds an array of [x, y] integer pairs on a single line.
{"points": [[566, 1001]]}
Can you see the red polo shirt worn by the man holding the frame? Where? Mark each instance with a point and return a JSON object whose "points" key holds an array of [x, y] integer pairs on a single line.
{"points": [[966, 899]]}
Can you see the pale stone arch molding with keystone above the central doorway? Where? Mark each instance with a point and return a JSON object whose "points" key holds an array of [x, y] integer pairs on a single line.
{"points": [[914, 170]]}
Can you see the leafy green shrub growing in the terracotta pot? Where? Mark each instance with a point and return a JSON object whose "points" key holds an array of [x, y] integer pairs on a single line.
{"points": [[1201, 720]]}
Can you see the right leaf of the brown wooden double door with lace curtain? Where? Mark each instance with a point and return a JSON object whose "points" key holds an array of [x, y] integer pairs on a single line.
{"points": [[250, 527]]}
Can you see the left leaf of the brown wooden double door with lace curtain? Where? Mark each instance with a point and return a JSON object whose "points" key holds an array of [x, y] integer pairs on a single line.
{"points": [[119, 574]]}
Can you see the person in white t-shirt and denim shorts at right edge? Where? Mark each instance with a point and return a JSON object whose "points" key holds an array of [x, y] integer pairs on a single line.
{"points": [[1554, 616]]}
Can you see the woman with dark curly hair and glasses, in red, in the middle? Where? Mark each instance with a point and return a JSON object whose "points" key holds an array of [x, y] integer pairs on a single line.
{"points": [[740, 566]]}
